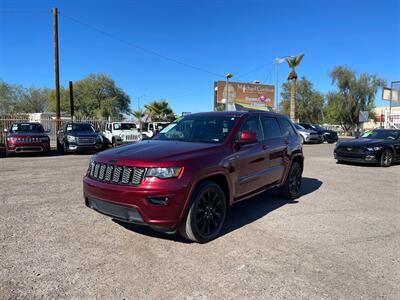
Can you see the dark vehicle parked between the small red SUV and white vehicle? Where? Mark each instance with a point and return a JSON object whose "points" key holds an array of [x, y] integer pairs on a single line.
{"points": [[74, 137]]}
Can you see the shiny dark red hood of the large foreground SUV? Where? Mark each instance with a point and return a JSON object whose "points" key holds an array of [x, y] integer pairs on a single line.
{"points": [[154, 151]]}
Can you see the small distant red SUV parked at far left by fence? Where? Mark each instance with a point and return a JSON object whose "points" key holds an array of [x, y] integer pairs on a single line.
{"points": [[26, 137]]}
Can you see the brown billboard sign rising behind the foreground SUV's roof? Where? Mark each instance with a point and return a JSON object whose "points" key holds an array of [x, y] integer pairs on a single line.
{"points": [[244, 96]]}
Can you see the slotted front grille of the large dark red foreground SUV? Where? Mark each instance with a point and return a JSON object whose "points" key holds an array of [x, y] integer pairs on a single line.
{"points": [[116, 174]]}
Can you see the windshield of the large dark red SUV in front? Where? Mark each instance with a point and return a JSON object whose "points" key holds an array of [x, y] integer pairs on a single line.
{"points": [[201, 129]]}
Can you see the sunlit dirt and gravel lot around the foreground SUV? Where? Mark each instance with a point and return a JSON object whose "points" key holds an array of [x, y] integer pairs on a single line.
{"points": [[340, 240]]}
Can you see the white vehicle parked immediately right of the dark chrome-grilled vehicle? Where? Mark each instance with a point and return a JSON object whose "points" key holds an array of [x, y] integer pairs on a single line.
{"points": [[118, 133]]}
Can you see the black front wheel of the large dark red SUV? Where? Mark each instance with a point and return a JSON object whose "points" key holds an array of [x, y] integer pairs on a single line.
{"points": [[206, 214]]}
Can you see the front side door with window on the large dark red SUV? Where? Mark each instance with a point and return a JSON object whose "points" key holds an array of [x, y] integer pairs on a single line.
{"points": [[250, 160]]}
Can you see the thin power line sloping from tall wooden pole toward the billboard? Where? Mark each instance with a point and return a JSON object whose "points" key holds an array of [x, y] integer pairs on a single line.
{"points": [[136, 46]]}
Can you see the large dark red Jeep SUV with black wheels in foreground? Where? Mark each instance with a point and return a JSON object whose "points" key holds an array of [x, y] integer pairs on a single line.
{"points": [[187, 176]]}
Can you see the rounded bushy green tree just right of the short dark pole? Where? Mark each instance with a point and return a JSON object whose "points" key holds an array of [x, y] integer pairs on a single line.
{"points": [[97, 95]]}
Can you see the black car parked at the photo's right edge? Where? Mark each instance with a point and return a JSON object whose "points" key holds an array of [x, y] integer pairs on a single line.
{"points": [[379, 146]]}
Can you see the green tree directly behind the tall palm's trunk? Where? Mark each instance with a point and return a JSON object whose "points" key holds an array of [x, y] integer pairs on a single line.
{"points": [[309, 102]]}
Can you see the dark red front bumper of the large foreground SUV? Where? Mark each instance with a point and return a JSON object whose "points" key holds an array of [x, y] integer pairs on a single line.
{"points": [[131, 203]]}
